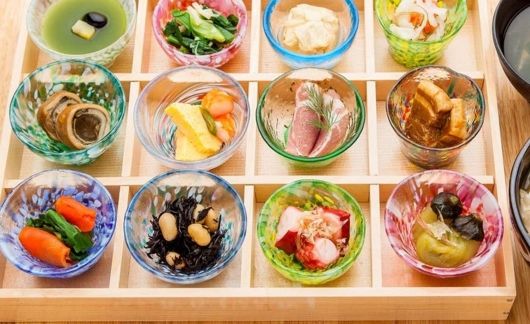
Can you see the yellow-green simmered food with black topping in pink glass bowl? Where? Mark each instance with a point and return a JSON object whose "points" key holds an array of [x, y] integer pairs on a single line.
{"points": [[444, 236]]}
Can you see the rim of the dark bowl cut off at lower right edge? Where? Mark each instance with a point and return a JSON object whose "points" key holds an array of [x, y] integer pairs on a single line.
{"points": [[513, 193]]}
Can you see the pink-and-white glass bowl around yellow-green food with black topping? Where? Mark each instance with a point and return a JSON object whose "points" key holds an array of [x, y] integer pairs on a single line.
{"points": [[414, 193]]}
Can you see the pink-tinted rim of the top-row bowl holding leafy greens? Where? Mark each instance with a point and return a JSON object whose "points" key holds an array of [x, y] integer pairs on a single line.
{"points": [[238, 40]]}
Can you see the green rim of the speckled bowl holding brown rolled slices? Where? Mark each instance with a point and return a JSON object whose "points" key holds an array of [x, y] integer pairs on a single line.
{"points": [[121, 107]]}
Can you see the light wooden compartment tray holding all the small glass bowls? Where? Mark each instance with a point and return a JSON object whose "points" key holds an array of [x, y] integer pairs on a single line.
{"points": [[379, 286]]}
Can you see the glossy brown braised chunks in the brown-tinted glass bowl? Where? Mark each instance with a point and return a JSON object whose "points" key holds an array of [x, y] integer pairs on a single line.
{"points": [[435, 120]]}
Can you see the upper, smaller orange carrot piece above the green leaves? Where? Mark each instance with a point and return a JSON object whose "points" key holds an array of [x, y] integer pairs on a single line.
{"points": [[76, 213]]}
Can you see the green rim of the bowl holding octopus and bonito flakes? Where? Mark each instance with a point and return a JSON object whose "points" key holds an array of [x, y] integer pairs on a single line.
{"points": [[335, 271]]}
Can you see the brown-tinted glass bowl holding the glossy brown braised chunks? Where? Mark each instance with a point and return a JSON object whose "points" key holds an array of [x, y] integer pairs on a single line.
{"points": [[456, 85]]}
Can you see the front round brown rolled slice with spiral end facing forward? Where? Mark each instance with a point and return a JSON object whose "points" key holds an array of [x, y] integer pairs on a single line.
{"points": [[81, 125]]}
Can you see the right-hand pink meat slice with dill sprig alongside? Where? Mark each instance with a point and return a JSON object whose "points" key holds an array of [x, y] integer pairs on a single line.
{"points": [[328, 140]]}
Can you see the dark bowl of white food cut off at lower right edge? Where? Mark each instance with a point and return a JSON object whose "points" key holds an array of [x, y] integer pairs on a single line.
{"points": [[519, 181]]}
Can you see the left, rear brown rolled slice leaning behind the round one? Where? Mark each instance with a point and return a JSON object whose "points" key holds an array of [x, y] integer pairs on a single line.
{"points": [[51, 108]]}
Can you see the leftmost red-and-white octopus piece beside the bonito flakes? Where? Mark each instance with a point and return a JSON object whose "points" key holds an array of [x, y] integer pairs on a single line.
{"points": [[288, 228]]}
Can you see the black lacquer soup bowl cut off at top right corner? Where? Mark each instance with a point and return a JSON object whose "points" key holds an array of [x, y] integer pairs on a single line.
{"points": [[504, 14]]}
